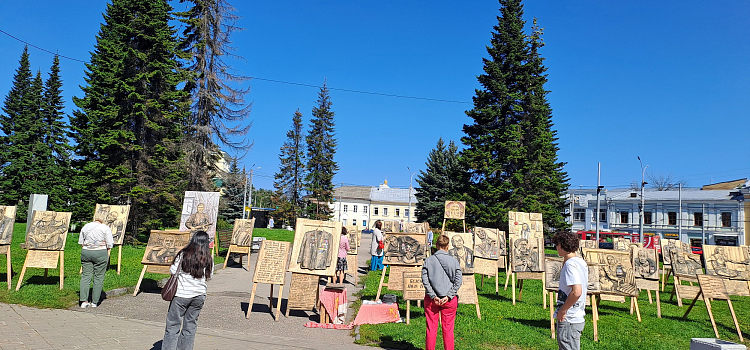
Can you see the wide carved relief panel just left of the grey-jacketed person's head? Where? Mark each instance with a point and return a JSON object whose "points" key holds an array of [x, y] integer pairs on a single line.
{"points": [[404, 249]]}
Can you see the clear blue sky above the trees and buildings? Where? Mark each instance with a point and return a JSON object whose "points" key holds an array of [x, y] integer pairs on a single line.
{"points": [[668, 81]]}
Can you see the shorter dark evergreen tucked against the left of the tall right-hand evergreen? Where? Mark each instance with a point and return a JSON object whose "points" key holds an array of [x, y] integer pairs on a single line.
{"points": [[442, 180]]}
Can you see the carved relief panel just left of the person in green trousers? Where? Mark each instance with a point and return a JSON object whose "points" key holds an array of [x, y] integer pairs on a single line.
{"points": [[49, 230]]}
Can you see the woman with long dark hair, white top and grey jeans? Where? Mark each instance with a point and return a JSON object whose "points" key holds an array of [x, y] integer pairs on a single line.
{"points": [[196, 267]]}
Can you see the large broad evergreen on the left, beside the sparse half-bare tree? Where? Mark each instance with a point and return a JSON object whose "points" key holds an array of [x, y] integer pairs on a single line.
{"points": [[129, 125]]}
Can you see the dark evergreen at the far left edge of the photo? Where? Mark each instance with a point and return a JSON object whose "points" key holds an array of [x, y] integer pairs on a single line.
{"points": [[17, 125]]}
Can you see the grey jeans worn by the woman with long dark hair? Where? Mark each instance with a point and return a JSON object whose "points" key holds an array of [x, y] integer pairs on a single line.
{"points": [[183, 312]]}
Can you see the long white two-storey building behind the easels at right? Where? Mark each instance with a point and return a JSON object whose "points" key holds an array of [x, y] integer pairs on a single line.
{"points": [[714, 214]]}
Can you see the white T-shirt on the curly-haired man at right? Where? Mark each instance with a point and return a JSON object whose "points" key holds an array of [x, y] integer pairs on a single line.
{"points": [[574, 271]]}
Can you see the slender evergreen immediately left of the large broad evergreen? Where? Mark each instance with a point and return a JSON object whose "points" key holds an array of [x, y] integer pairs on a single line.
{"points": [[55, 139]]}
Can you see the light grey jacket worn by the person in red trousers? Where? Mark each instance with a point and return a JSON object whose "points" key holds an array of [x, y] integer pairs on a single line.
{"points": [[441, 275]]}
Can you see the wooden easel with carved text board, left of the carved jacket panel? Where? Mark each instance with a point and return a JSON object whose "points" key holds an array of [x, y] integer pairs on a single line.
{"points": [[270, 268]]}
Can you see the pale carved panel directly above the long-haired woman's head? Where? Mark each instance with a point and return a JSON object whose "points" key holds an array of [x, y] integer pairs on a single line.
{"points": [[199, 212]]}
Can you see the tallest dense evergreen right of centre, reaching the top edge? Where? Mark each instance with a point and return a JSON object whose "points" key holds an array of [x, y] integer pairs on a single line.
{"points": [[511, 153]]}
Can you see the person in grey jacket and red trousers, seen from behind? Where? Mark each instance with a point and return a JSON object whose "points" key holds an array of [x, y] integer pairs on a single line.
{"points": [[441, 276]]}
